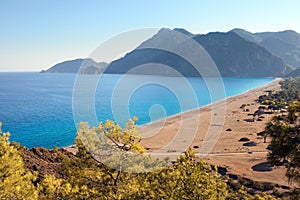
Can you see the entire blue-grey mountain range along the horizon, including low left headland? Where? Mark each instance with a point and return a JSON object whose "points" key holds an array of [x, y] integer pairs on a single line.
{"points": [[236, 53]]}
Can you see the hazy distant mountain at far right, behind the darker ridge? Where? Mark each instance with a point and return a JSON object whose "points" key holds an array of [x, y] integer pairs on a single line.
{"points": [[284, 44]]}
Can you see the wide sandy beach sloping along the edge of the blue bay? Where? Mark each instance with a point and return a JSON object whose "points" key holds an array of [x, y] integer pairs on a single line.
{"points": [[172, 135]]}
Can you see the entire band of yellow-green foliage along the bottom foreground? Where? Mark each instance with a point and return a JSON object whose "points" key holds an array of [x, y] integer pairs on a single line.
{"points": [[86, 178]]}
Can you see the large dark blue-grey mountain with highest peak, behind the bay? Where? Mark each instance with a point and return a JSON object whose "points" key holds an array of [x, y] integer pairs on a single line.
{"points": [[233, 55]]}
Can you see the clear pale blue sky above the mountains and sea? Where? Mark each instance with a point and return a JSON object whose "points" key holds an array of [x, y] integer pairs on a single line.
{"points": [[36, 34]]}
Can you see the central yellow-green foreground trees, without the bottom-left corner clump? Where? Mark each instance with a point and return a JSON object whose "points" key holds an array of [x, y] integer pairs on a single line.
{"points": [[187, 179]]}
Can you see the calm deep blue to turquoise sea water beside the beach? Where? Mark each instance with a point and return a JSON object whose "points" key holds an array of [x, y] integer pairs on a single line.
{"points": [[37, 108]]}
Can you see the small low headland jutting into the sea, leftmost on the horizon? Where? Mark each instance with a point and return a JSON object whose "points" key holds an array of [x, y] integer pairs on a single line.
{"points": [[86, 66]]}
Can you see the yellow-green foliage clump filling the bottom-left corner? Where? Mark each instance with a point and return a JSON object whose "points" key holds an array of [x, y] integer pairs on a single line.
{"points": [[15, 183]]}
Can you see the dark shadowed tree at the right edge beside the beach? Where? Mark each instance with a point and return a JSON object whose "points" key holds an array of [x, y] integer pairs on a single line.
{"points": [[284, 130]]}
